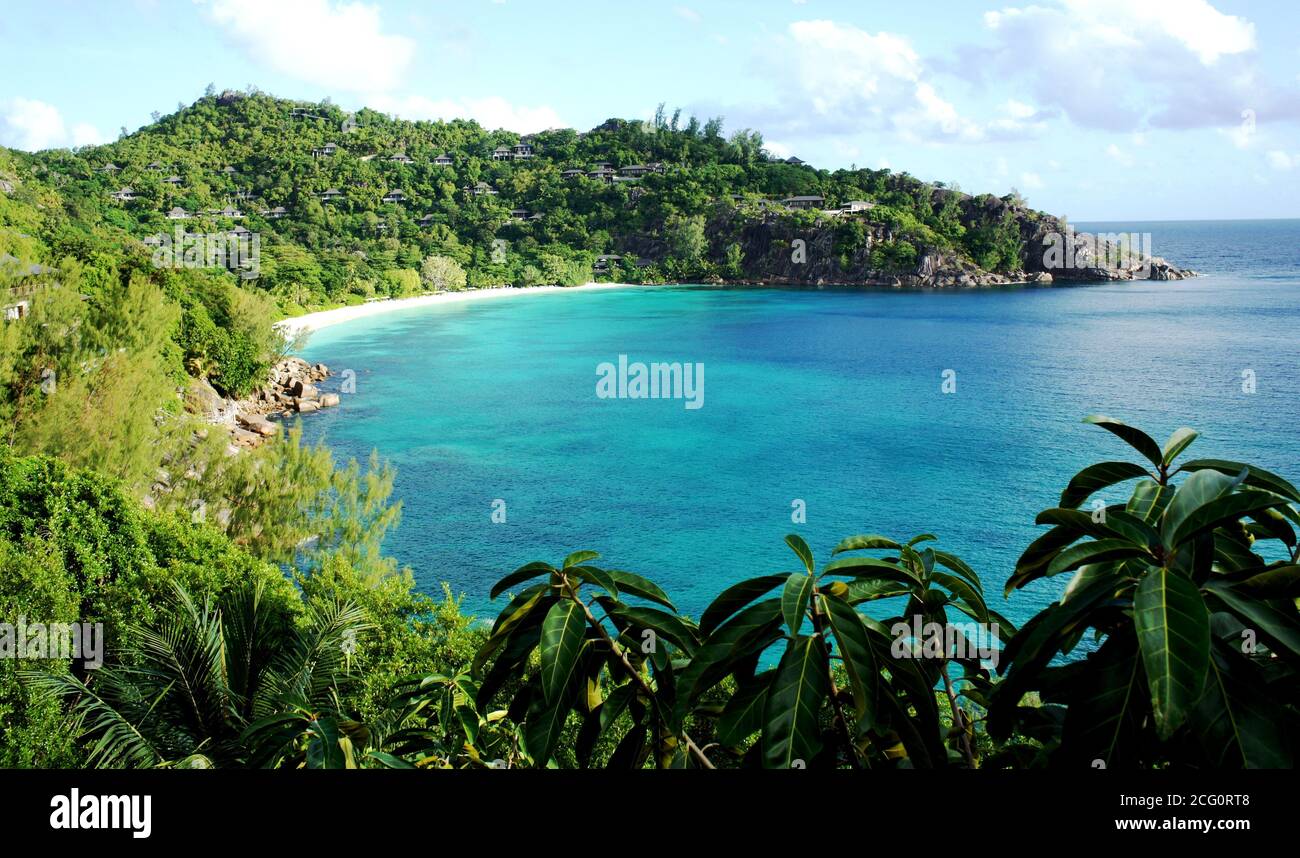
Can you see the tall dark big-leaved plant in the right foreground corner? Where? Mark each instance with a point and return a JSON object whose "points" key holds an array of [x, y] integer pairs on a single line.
{"points": [[1191, 590]]}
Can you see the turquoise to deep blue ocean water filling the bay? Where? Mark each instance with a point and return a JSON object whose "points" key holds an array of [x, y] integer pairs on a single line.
{"points": [[827, 397]]}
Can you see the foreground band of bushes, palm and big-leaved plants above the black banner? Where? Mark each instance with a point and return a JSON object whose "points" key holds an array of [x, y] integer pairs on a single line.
{"points": [[1176, 644]]}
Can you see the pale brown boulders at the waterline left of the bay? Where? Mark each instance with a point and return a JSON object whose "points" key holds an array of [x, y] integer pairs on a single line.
{"points": [[292, 388]]}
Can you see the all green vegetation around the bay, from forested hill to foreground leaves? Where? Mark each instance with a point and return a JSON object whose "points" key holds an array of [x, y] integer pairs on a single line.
{"points": [[253, 618]]}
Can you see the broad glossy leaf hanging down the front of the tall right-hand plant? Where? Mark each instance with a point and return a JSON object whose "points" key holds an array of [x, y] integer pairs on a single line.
{"points": [[1175, 636]]}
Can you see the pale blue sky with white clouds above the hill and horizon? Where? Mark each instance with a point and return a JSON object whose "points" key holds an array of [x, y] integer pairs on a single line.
{"points": [[1095, 110]]}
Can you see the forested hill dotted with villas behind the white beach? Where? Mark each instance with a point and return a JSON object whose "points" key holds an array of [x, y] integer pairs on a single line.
{"points": [[350, 206]]}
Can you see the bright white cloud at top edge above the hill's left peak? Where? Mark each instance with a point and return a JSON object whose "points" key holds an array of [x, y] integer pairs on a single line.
{"points": [[332, 44]]}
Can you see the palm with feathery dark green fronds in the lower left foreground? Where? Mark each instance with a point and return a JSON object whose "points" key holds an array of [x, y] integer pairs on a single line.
{"points": [[185, 691]]}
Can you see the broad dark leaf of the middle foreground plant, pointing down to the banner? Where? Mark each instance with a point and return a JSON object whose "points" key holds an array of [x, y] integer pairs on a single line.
{"points": [[792, 713]]}
